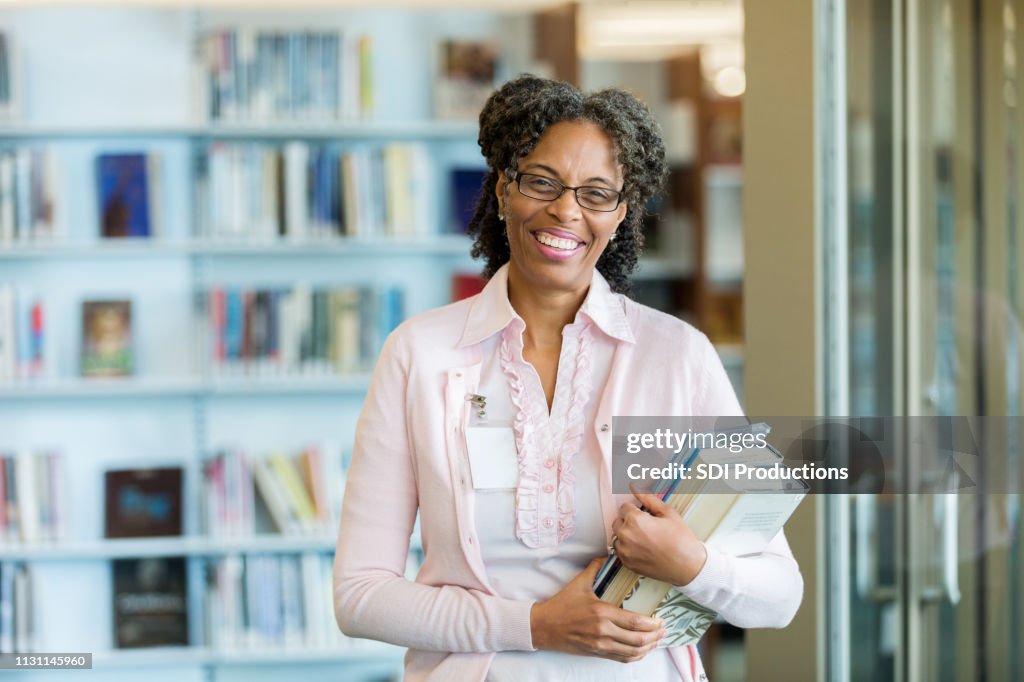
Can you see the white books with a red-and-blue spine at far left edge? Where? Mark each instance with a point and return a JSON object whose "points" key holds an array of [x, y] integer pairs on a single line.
{"points": [[22, 335]]}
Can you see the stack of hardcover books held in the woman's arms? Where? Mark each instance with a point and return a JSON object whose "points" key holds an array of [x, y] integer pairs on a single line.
{"points": [[738, 518]]}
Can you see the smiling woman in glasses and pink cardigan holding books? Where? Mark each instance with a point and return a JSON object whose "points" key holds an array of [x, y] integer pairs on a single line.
{"points": [[491, 418]]}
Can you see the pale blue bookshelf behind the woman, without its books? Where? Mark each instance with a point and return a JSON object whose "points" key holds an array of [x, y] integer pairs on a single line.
{"points": [[94, 92]]}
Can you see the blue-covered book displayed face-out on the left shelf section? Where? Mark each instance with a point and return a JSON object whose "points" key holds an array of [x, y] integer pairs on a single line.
{"points": [[127, 195]]}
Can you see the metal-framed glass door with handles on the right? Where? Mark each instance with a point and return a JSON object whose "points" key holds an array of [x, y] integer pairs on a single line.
{"points": [[933, 250]]}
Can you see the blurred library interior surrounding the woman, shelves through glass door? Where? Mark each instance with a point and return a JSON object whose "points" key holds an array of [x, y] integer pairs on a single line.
{"points": [[211, 216]]}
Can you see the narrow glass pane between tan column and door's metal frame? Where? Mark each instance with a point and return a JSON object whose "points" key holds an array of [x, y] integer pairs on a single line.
{"points": [[873, 615]]}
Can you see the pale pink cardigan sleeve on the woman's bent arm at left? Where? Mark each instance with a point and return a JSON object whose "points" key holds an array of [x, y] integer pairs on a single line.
{"points": [[372, 598]]}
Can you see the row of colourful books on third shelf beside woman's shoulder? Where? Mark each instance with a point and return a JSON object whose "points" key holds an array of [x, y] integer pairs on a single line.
{"points": [[301, 332]]}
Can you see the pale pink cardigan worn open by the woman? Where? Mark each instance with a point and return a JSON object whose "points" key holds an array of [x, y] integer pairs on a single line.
{"points": [[410, 456]]}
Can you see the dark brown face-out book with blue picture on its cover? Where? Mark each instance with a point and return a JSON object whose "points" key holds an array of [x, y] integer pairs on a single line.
{"points": [[144, 503]]}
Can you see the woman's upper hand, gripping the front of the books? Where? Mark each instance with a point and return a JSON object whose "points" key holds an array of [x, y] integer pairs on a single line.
{"points": [[658, 543]]}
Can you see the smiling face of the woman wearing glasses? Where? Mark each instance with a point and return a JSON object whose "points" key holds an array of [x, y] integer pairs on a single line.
{"points": [[557, 245]]}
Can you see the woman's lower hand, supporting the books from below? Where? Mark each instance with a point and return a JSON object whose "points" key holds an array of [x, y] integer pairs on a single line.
{"points": [[575, 621]]}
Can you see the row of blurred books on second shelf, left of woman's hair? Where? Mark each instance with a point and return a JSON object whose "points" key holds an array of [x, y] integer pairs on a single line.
{"points": [[260, 193]]}
